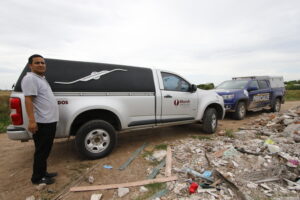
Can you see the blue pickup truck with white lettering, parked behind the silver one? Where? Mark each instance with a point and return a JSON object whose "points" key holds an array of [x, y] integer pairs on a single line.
{"points": [[242, 94]]}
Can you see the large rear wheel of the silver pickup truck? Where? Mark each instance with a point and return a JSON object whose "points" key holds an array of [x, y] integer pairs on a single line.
{"points": [[95, 139]]}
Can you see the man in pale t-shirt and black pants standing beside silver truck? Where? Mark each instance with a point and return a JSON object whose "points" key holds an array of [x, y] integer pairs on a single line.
{"points": [[42, 111]]}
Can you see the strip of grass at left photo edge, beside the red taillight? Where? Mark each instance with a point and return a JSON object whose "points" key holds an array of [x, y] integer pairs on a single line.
{"points": [[4, 111]]}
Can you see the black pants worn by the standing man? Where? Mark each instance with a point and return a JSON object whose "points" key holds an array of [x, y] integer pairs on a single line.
{"points": [[43, 141]]}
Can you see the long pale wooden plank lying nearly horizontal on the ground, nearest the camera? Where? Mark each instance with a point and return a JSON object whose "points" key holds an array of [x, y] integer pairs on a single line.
{"points": [[130, 184]]}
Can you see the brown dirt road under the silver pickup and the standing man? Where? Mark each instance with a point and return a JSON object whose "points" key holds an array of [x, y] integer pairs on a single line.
{"points": [[16, 160]]}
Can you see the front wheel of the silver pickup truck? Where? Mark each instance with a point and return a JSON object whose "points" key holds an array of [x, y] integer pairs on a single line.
{"points": [[210, 120]]}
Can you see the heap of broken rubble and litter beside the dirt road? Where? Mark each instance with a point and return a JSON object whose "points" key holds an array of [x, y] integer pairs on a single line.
{"points": [[260, 161]]}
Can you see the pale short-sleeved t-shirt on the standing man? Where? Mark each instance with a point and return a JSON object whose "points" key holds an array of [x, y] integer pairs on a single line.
{"points": [[44, 102]]}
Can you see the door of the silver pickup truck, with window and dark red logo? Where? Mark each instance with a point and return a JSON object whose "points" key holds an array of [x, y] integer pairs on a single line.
{"points": [[178, 103]]}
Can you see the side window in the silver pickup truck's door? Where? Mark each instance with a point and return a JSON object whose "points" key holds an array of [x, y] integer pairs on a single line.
{"points": [[173, 82]]}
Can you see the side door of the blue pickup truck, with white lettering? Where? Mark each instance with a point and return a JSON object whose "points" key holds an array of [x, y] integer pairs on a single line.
{"points": [[260, 97]]}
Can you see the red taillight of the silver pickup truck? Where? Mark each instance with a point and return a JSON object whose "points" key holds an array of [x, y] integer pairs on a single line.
{"points": [[16, 111]]}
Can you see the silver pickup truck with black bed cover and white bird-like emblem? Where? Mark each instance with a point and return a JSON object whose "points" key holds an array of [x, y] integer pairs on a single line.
{"points": [[98, 100]]}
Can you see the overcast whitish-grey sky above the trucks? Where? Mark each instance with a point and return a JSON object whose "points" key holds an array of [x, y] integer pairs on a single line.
{"points": [[204, 41]]}
